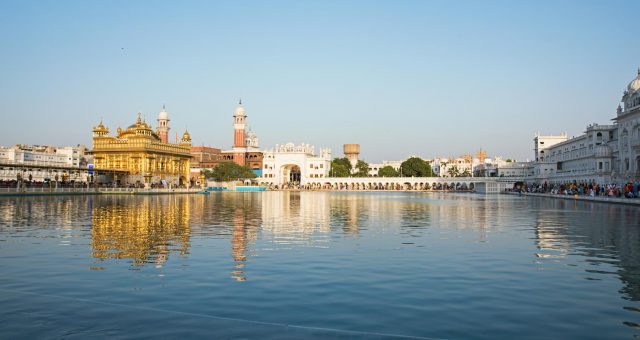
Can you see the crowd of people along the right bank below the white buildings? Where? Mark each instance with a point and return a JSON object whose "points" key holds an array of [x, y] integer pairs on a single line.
{"points": [[628, 190]]}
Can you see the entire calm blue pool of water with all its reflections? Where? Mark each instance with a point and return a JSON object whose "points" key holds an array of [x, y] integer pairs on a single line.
{"points": [[318, 265]]}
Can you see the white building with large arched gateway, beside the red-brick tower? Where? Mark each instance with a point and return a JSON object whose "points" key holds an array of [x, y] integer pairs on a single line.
{"points": [[291, 164]]}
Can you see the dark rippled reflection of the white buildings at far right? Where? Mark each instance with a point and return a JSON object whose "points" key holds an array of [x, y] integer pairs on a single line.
{"points": [[607, 236]]}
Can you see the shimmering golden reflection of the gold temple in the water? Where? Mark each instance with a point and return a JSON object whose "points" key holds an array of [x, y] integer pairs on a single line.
{"points": [[142, 229]]}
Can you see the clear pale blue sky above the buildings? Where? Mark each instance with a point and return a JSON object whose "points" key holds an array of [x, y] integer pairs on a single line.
{"points": [[401, 78]]}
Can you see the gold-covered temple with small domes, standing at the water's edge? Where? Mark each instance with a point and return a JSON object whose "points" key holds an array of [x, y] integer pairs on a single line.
{"points": [[142, 155]]}
